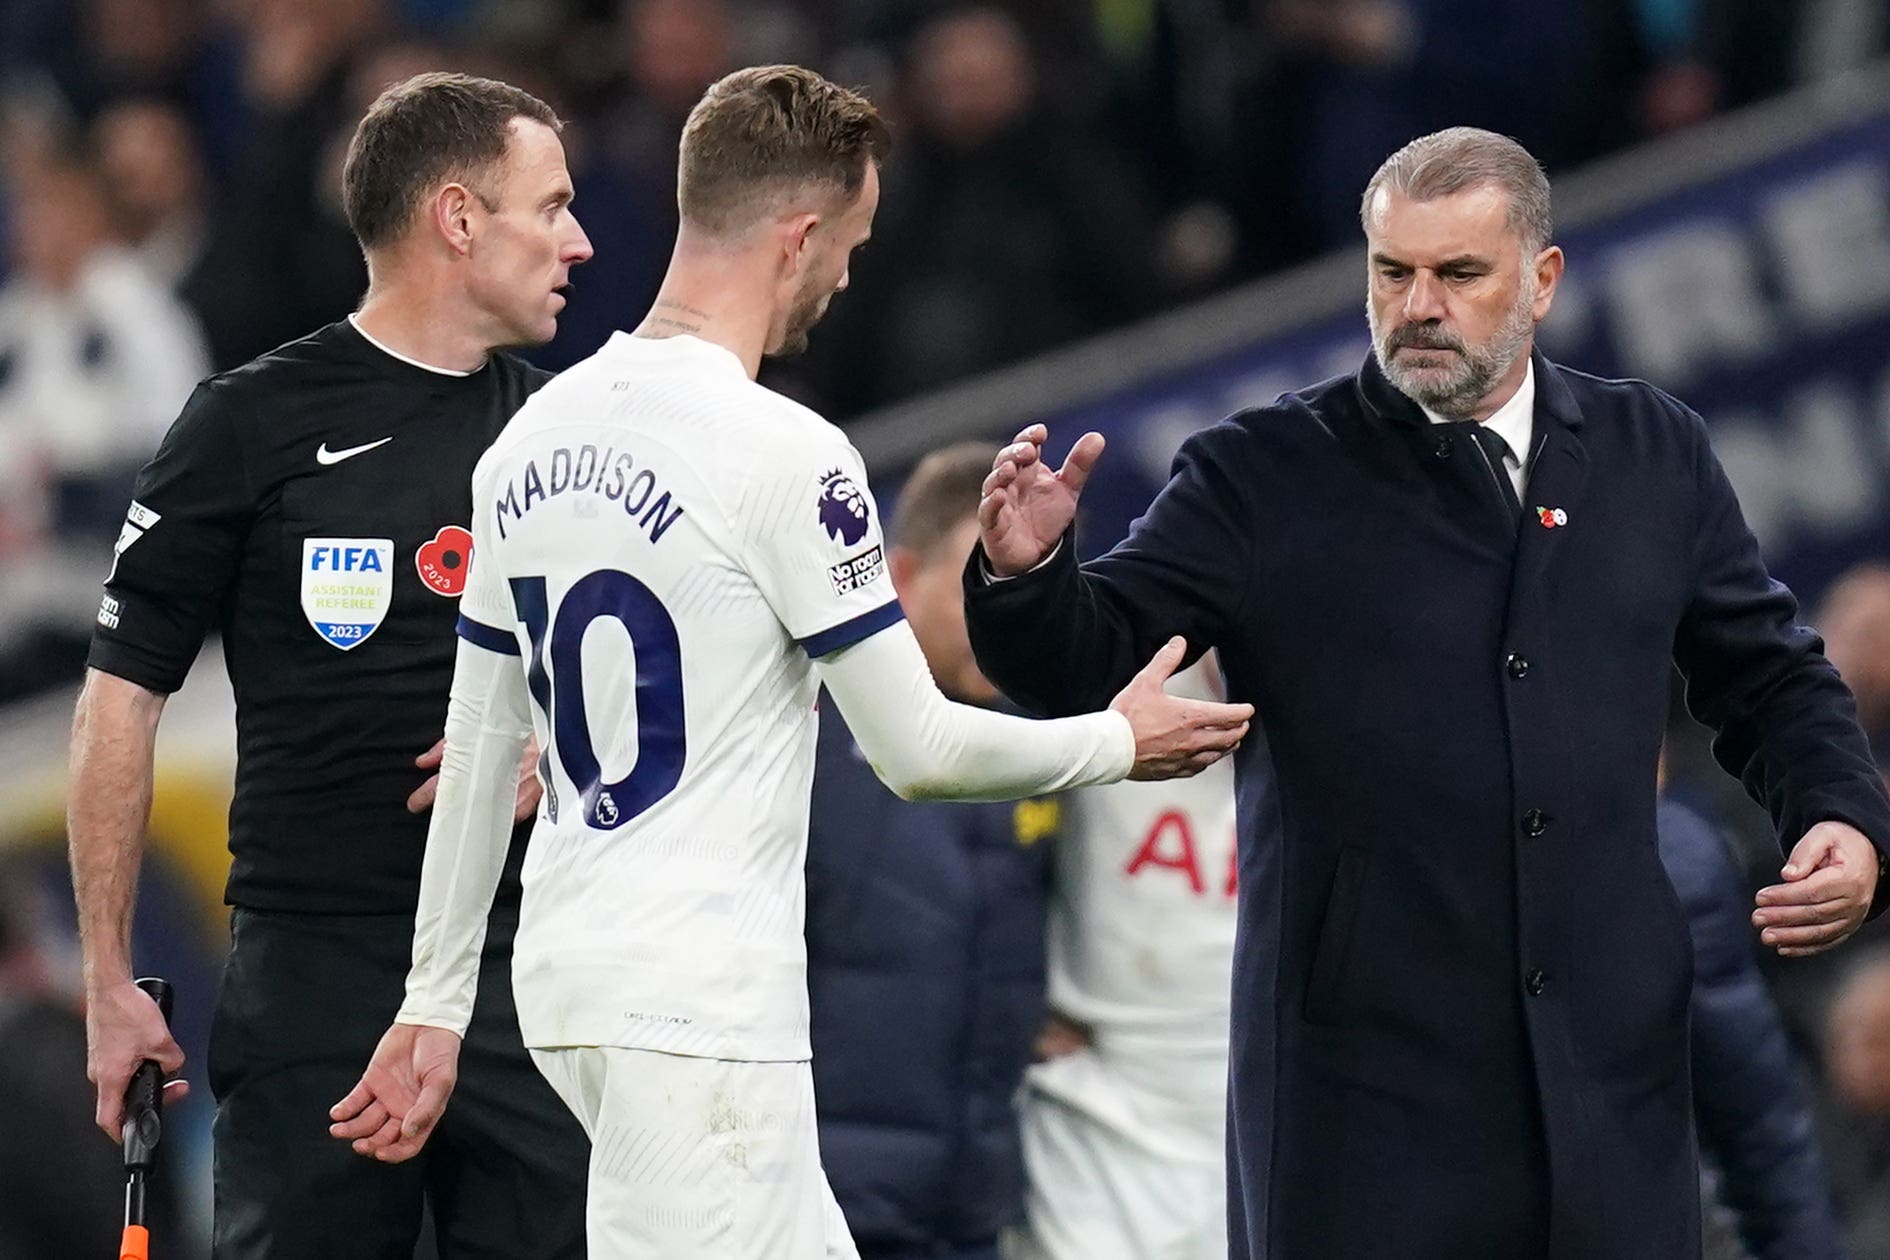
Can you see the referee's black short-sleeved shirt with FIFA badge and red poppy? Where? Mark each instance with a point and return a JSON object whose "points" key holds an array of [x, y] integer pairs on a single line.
{"points": [[311, 505]]}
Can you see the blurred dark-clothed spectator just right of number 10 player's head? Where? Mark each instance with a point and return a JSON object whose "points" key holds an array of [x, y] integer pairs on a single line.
{"points": [[1003, 231]]}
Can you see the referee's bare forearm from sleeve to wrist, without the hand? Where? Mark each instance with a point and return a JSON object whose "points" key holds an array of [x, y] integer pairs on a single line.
{"points": [[109, 804]]}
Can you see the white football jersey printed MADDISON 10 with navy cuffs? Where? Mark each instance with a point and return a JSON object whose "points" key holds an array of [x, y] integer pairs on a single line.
{"points": [[670, 545]]}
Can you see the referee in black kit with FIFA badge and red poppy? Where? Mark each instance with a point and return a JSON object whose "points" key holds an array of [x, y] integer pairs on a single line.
{"points": [[313, 507]]}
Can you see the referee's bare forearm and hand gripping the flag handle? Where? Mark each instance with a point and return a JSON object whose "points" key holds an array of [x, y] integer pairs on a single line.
{"points": [[114, 736]]}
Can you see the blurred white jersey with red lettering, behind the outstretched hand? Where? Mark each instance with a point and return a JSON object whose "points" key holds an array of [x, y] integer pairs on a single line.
{"points": [[1143, 913]]}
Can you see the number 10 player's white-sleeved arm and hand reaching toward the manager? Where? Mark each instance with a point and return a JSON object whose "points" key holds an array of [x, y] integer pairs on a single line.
{"points": [[925, 747]]}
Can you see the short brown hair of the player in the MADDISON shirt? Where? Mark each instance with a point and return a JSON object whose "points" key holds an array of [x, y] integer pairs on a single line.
{"points": [[770, 133]]}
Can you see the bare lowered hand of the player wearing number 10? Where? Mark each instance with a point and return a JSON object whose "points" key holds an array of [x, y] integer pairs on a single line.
{"points": [[402, 1095]]}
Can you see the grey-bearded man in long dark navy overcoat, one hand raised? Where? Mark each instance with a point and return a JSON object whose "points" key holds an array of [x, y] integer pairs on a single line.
{"points": [[1452, 583]]}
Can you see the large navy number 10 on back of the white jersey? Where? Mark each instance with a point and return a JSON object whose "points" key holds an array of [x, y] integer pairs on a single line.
{"points": [[557, 677]]}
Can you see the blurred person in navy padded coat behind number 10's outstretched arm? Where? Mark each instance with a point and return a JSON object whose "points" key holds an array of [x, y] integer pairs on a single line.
{"points": [[925, 942]]}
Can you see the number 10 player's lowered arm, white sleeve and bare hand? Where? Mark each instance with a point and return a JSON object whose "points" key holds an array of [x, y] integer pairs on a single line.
{"points": [[402, 1095]]}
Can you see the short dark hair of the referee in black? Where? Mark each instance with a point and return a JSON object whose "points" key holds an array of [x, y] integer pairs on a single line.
{"points": [[424, 131]]}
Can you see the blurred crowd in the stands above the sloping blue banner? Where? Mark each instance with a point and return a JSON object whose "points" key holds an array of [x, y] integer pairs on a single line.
{"points": [[169, 184]]}
